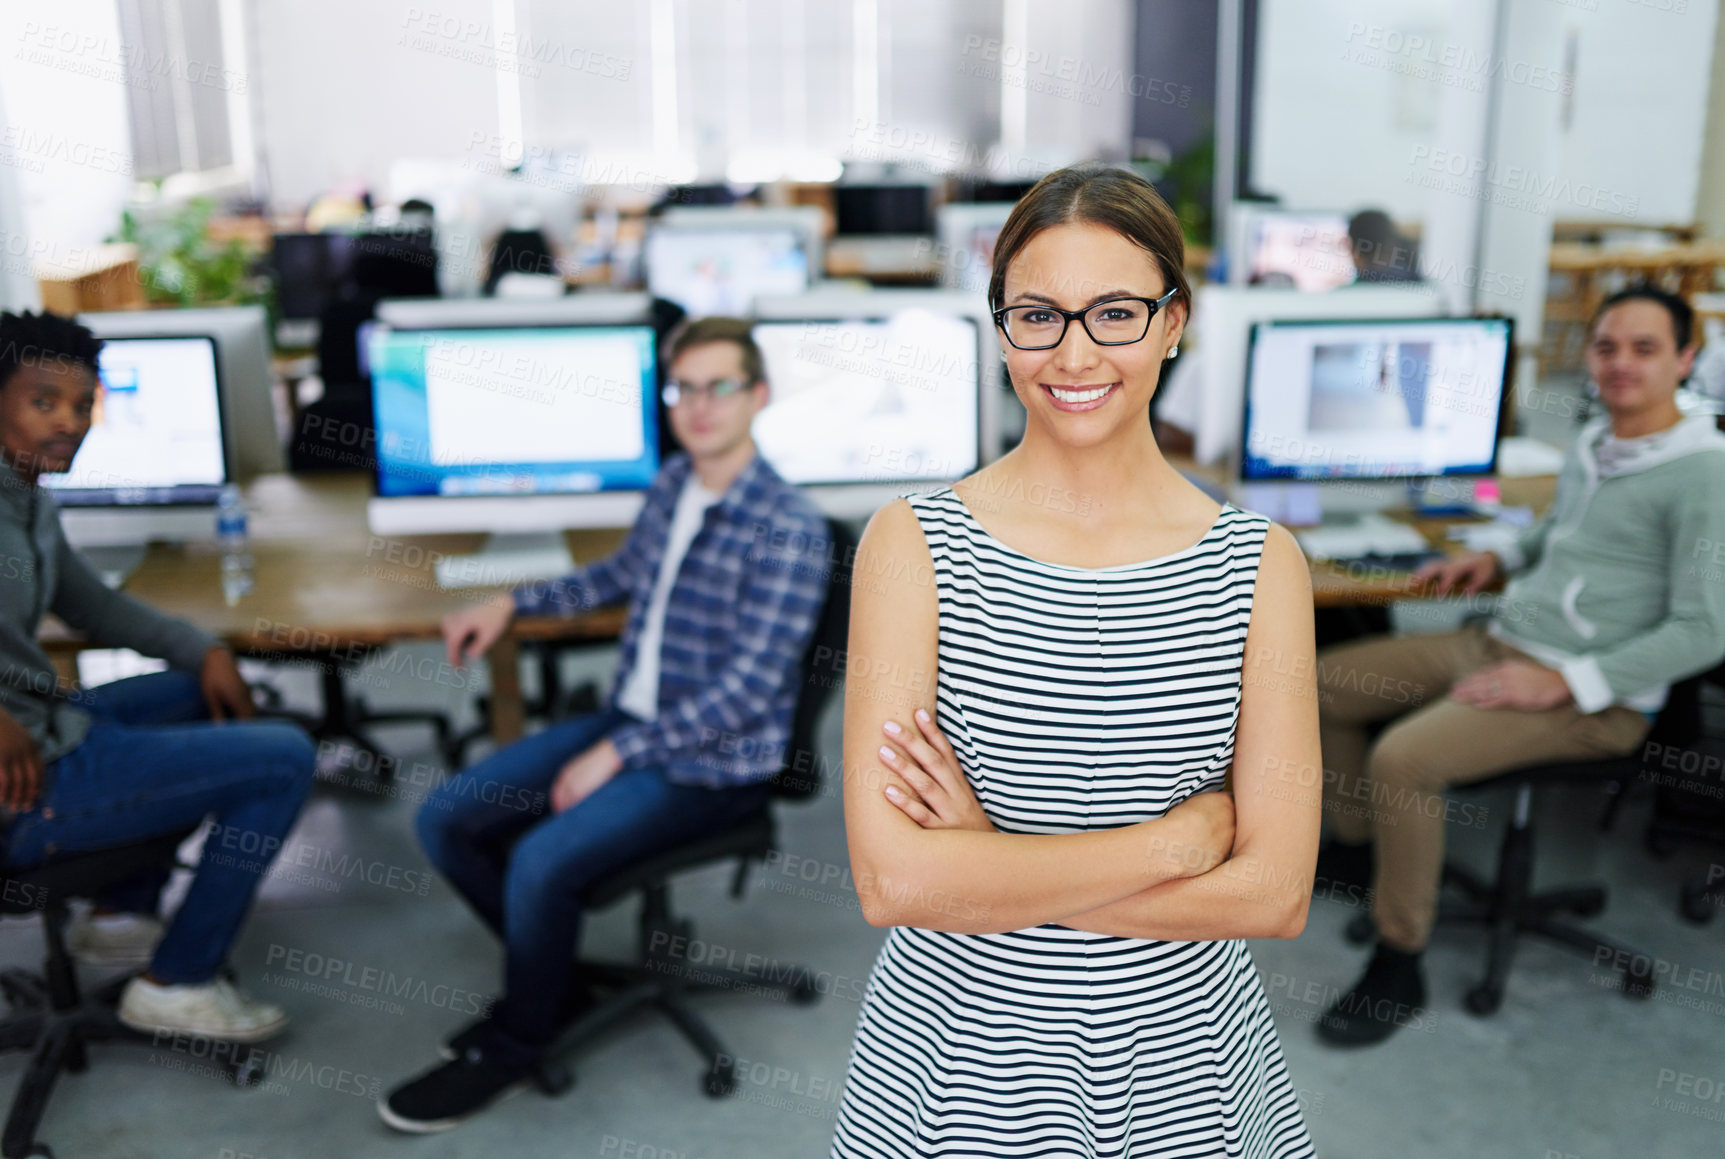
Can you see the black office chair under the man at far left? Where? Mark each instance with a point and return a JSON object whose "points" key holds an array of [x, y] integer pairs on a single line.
{"points": [[49, 1015]]}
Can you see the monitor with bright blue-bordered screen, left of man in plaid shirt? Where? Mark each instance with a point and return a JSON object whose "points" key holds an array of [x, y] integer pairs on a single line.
{"points": [[515, 430]]}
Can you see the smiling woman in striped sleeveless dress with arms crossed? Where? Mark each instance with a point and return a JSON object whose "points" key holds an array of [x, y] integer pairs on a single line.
{"points": [[1053, 834]]}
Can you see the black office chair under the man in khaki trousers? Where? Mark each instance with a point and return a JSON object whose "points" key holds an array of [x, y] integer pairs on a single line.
{"points": [[1510, 906]]}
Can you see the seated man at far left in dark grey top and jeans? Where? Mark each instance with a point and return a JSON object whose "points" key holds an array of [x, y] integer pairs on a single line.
{"points": [[85, 770]]}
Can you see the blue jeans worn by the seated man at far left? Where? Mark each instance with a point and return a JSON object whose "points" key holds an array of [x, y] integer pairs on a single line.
{"points": [[149, 768]]}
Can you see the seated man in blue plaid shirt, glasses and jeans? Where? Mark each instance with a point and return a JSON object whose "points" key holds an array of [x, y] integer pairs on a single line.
{"points": [[725, 573]]}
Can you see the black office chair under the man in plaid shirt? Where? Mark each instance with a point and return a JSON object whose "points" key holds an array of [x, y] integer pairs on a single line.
{"points": [[660, 977]]}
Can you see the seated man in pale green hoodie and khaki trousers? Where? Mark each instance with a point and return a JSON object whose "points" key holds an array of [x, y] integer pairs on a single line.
{"points": [[1612, 599]]}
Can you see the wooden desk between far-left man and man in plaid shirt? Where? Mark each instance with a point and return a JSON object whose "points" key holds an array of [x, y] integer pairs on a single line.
{"points": [[329, 591]]}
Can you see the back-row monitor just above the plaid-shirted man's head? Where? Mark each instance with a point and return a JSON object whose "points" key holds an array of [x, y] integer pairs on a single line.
{"points": [[724, 270]]}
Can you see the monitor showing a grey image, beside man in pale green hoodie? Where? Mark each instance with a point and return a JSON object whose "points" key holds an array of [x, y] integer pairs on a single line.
{"points": [[1372, 399]]}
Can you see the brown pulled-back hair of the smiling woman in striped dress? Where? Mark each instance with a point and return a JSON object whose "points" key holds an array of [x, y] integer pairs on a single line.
{"points": [[1100, 196]]}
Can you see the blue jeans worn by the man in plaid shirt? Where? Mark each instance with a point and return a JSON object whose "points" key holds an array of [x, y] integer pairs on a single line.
{"points": [[525, 868]]}
